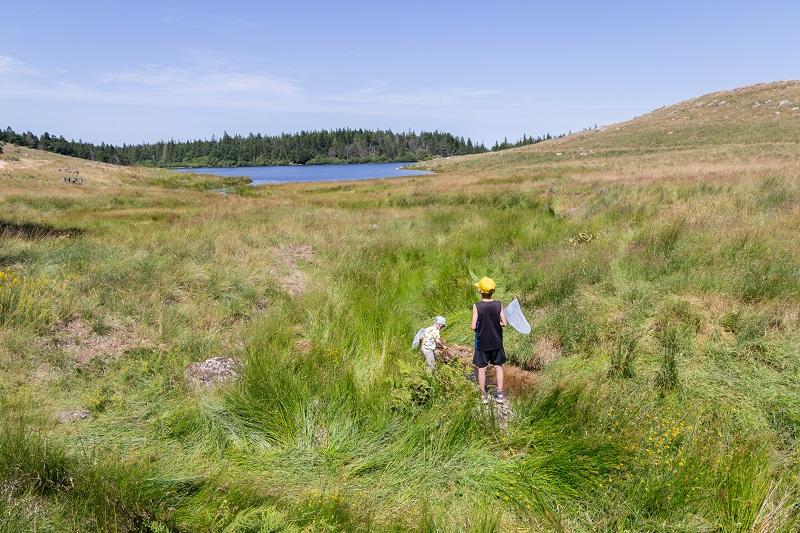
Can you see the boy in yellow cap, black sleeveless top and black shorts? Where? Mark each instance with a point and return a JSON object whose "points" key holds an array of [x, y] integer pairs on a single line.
{"points": [[488, 321]]}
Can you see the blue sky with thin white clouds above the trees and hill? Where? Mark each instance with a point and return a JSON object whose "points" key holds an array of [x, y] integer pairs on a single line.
{"points": [[142, 71]]}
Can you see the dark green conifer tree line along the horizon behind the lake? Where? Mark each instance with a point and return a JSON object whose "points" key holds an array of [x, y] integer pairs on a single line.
{"points": [[305, 147]]}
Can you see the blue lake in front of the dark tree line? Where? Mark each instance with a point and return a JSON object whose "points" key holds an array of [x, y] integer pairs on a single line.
{"points": [[311, 173]]}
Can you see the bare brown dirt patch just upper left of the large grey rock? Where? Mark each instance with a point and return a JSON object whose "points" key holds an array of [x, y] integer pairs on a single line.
{"points": [[77, 338]]}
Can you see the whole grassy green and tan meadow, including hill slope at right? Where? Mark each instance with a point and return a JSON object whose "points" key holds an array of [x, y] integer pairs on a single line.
{"points": [[661, 272]]}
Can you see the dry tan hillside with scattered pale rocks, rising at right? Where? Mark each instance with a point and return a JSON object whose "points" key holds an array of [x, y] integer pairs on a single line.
{"points": [[744, 124]]}
